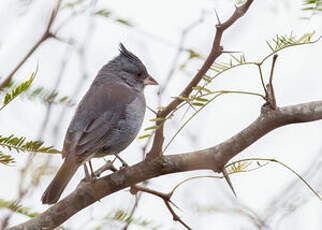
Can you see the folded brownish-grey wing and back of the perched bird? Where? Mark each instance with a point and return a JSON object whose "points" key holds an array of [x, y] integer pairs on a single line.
{"points": [[96, 117]]}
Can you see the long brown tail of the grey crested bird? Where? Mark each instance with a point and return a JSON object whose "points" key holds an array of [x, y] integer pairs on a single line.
{"points": [[58, 184]]}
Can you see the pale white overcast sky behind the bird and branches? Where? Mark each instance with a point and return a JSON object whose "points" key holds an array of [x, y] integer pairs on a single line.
{"points": [[154, 38]]}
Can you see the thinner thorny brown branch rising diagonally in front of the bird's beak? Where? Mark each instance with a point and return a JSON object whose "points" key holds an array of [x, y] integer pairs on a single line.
{"points": [[215, 52]]}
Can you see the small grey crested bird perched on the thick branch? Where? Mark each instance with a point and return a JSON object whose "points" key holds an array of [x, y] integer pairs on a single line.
{"points": [[107, 119]]}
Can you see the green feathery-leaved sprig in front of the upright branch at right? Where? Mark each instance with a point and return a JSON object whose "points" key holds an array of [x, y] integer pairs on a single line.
{"points": [[203, 95]]}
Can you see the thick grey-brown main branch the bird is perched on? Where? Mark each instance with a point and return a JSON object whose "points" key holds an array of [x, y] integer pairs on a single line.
{"points": [[213, 158]]}
